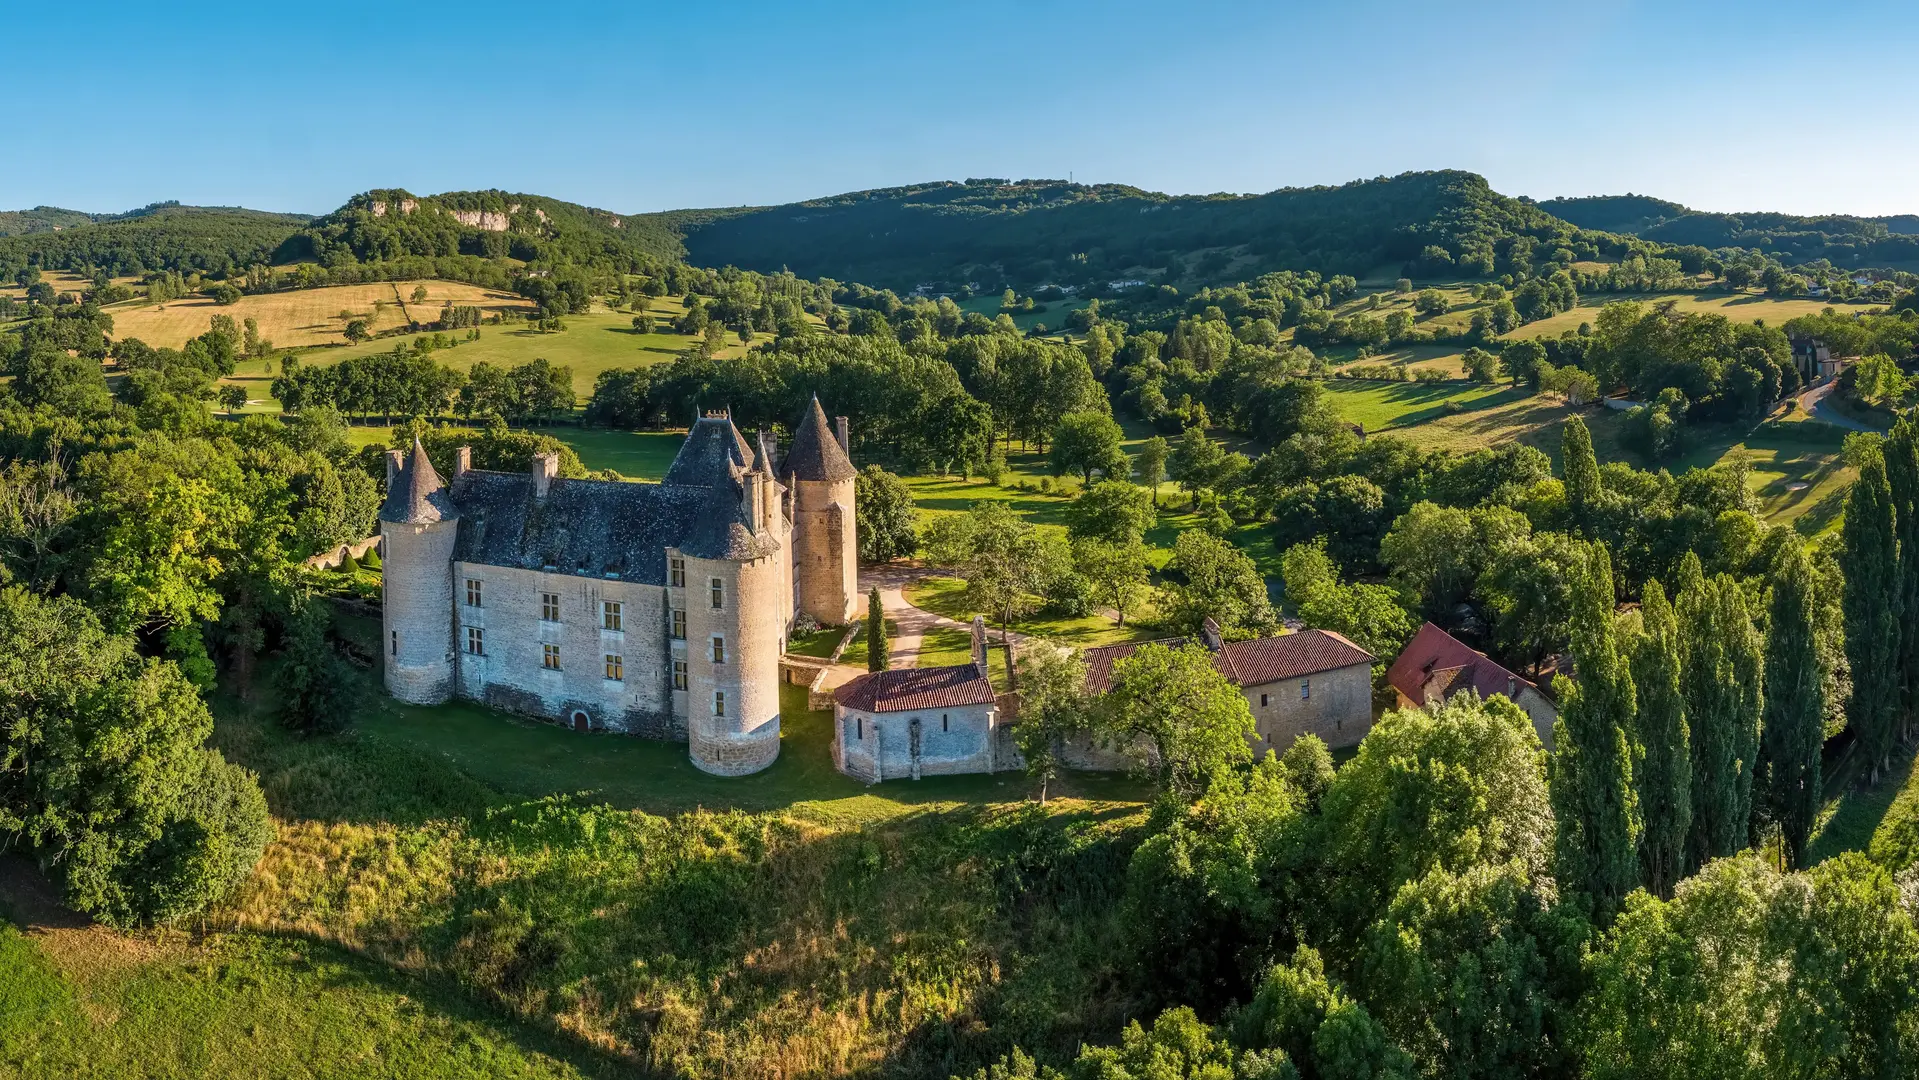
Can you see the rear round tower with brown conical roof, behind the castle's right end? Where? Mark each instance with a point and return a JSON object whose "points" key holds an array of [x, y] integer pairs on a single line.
{"points": [[826, 550]]}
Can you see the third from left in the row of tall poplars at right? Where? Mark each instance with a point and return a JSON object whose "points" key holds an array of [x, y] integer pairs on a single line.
{"points": [[1722, 674]]}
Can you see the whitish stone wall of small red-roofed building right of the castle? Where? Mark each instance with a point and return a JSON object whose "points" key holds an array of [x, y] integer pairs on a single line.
{"points": [[882, 747]]}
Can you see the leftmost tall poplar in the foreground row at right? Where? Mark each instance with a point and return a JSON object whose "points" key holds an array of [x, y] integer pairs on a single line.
{"points": [[1592, 784]]}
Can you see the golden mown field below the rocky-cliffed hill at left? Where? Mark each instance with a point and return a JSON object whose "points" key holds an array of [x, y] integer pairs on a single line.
{"points": [[304, 317]]}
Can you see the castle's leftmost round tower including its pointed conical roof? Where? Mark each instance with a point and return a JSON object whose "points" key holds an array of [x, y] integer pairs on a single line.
{"points": [[417, 532]]}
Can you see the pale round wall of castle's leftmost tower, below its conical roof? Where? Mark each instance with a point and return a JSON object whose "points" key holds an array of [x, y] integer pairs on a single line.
{"points": [[417, 611]]}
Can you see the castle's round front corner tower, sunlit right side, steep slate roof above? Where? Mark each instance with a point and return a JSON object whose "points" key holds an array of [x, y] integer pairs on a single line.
{"points": [[734, 575]]}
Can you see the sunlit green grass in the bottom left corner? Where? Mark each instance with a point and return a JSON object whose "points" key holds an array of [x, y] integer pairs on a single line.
{"points": [[78, 1002]]}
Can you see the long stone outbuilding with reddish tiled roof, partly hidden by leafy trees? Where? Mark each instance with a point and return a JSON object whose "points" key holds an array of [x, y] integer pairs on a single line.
{"points": [[1312, 682]]}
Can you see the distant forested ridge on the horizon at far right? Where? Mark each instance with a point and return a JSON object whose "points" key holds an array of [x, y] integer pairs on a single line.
{"points": [[1793, 239]]}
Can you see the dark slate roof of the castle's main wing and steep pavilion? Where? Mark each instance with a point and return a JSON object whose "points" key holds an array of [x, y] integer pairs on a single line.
{"points": [[613, 527]]}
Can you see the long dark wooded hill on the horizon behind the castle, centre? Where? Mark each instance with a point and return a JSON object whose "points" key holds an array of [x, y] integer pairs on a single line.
{"points": [[1037, 231]]}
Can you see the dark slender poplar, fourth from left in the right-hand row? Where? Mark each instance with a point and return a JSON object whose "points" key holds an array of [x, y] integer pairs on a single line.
{"points": [[1795, 703]]}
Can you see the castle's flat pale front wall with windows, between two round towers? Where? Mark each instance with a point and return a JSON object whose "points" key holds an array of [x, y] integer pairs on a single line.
{"points": [[511, 674]]}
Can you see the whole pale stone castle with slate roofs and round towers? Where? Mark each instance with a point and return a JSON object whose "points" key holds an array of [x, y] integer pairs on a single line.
{"points": [[646, 609]]}
